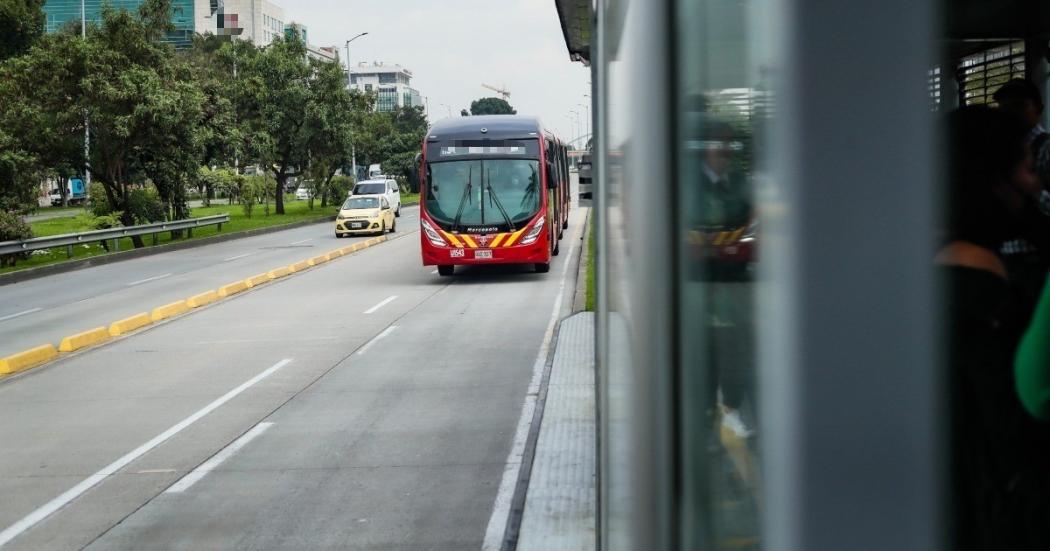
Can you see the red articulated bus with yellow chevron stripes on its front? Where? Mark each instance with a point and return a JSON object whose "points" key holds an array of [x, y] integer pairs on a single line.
{"points": [[494, 189]]}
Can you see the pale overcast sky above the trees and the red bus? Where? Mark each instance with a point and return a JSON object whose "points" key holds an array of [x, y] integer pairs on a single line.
{"points": [[452, 47]]}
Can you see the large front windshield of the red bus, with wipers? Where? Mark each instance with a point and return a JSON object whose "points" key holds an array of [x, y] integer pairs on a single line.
{"points": [[484, 193]]}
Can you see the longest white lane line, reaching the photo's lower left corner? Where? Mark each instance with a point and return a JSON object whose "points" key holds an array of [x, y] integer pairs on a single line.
{"points": [[46, 511]]}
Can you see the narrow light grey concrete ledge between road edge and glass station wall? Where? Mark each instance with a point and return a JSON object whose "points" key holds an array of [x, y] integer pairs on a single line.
{"points": [[561, 502]]}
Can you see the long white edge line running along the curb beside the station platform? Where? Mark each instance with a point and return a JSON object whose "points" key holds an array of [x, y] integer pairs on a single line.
{"points": [[501, 510]]}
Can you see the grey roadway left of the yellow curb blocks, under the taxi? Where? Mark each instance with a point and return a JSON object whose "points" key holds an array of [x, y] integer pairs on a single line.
{"points": [[46, 310]]}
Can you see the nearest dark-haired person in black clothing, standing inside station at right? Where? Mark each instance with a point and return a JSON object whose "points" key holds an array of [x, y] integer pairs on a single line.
{"points": [[999, 461]]}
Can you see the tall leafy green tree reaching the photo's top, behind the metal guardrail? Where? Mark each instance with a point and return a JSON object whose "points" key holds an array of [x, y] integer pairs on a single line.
{"points": [[145, 110]]}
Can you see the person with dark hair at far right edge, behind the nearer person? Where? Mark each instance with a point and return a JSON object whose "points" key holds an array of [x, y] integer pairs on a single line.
{"points": [[1027, 256]]}
